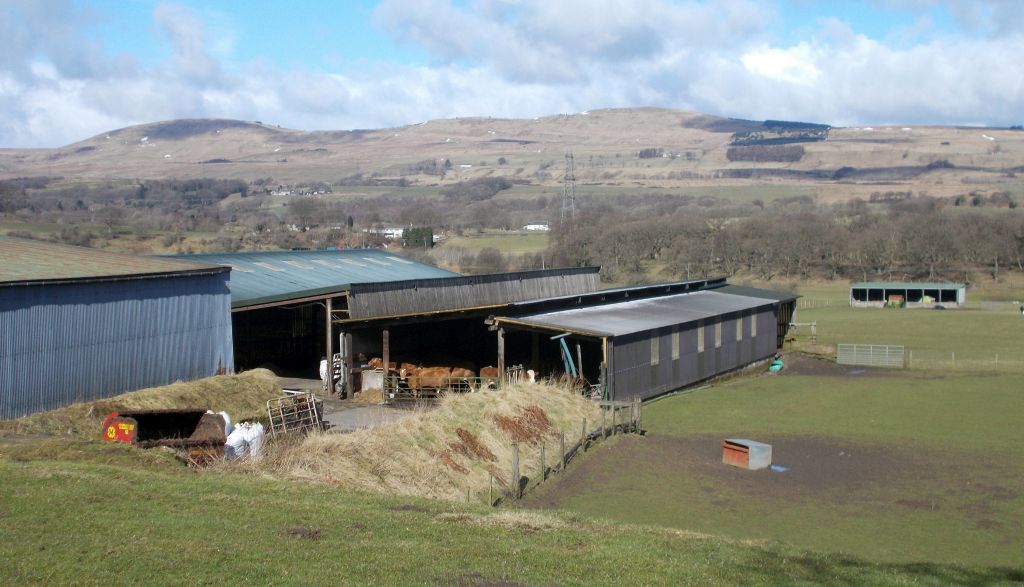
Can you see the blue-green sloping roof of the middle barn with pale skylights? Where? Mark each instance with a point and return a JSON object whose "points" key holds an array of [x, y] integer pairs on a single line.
{"points": [[260, 278]]}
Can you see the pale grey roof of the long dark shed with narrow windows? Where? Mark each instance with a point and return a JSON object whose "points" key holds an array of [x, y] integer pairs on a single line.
{"points": [[638, 316]]}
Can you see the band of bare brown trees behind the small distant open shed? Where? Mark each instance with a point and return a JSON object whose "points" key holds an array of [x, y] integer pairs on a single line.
{"points": [[919, 239]]}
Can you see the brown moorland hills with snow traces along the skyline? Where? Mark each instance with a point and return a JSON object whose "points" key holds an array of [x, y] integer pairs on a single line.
{"points": [[627, 147]]}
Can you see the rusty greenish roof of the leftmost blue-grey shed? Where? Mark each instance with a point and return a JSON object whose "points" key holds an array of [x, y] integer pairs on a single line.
{"points": [[24, 261]]}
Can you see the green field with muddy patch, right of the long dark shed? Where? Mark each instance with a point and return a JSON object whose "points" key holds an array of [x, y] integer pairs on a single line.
{"points": [[922, 466]]}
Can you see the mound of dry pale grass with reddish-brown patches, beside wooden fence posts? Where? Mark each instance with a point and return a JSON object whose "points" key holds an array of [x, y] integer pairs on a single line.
{"points": [[446, 452]]}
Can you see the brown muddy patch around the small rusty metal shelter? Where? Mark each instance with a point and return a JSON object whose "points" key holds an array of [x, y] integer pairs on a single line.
{"points": [[819, 470]]}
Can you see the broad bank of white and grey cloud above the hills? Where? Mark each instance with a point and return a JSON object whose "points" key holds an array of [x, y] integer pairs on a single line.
{"points": [[509, 59]]}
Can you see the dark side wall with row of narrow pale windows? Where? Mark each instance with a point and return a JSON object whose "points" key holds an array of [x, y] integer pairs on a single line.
{"points": [[636, 372]]}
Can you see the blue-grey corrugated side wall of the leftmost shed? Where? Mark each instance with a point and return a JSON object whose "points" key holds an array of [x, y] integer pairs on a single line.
{"points": [[81, 342]]}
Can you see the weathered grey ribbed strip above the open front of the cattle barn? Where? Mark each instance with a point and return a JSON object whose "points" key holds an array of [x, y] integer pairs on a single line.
{"points": [[403, 299]]}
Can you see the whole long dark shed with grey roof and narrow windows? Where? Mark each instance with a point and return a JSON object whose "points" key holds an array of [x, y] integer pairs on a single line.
{"points": [[652, 346]]}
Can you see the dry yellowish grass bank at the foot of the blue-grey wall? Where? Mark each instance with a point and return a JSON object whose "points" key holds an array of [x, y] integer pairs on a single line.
{"points": [[243, 396]]}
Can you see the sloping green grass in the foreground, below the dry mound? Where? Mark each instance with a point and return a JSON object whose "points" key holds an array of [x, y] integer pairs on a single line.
{"points": [[120, 524]]}
